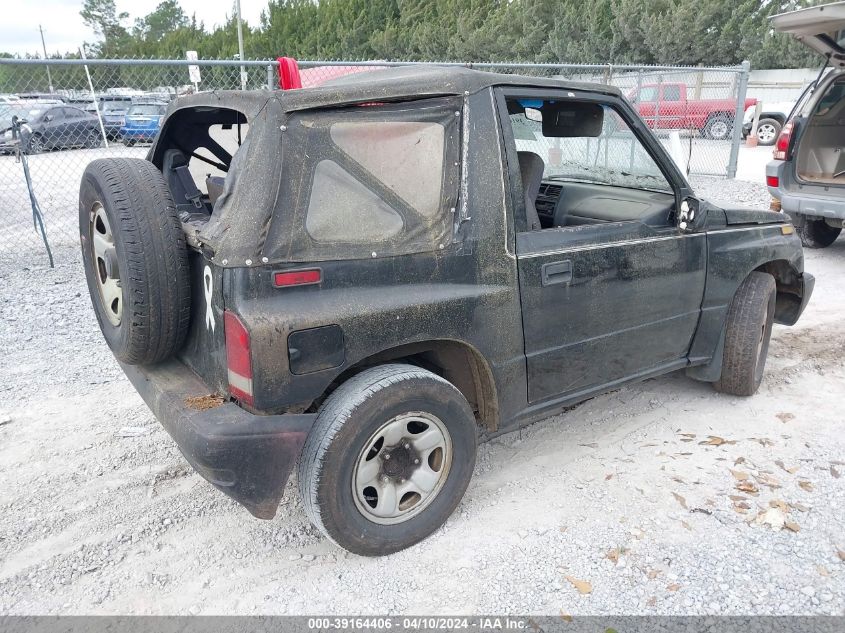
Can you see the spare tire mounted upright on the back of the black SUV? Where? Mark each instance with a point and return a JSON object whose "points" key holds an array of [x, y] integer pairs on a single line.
{"points": [[135, 259]]}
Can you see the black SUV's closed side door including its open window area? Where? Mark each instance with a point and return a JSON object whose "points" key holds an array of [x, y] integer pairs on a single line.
{"points": [[610, 288]]}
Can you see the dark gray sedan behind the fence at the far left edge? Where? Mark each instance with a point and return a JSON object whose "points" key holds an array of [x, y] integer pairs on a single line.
{"points": [[49, 126]]}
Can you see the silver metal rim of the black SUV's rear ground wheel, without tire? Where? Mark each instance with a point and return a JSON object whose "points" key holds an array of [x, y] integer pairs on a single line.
{"points": [[402, 468]]}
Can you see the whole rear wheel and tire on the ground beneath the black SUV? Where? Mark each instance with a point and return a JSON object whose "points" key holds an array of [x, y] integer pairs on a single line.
{"points": [[388, 459]]}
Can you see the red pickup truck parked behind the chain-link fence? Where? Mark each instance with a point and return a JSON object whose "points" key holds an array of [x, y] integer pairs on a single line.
{"points": [[665, 106]]}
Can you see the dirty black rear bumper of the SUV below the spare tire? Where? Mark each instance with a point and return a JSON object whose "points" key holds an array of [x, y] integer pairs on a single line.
{"points": [[248, 457]]}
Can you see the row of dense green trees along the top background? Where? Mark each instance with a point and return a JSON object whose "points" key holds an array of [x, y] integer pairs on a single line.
{"points": [[677, 32]]}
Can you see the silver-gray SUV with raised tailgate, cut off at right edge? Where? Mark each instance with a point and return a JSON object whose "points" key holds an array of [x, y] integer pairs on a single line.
{"points": [[807, 174]]}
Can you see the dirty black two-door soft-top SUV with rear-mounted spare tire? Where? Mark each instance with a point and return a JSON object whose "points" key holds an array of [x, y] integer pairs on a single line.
{"points": [[365, 277]]}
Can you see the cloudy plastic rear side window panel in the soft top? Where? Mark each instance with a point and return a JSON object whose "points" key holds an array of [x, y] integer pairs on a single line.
{"points": [[374, 179]]}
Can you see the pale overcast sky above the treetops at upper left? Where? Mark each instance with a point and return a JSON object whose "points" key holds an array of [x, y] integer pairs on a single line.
{"points": [[64, 30]]}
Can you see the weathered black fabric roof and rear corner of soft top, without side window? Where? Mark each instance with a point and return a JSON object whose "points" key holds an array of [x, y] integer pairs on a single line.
{"points": [[237, 229]]}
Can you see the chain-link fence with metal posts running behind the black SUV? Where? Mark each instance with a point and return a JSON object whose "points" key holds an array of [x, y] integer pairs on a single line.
{"points": [[79, 110]]}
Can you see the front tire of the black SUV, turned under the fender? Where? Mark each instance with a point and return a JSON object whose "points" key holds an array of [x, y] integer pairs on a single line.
{"points": [[748, 330]]}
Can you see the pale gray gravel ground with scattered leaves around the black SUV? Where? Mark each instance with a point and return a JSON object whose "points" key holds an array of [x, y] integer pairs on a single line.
{"points": [[659, 498]]}
